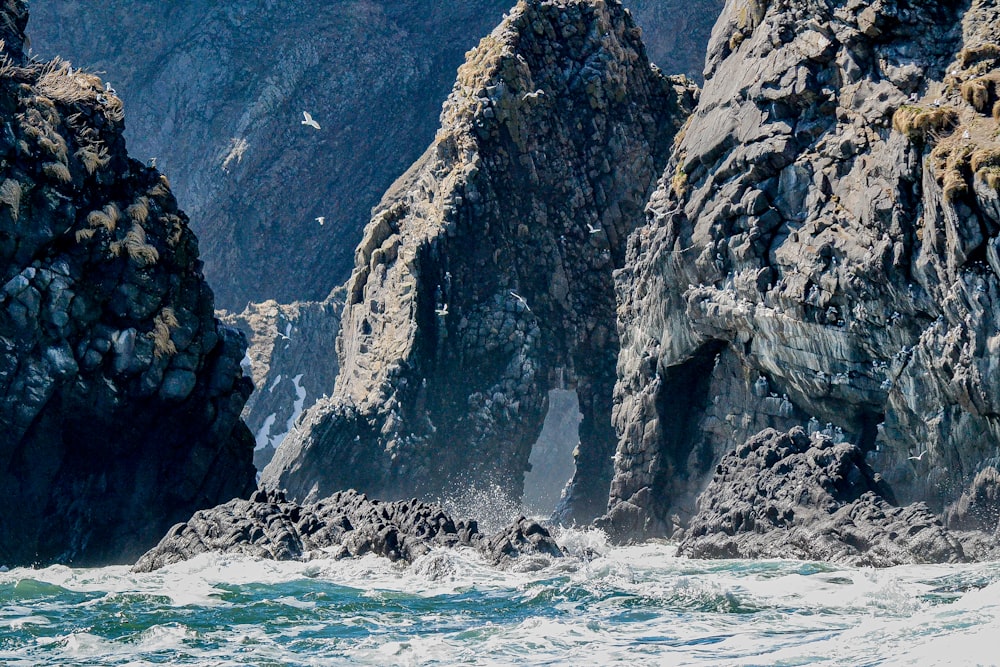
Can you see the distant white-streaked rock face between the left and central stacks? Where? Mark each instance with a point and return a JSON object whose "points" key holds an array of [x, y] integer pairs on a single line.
{"points": [[292, 362]]}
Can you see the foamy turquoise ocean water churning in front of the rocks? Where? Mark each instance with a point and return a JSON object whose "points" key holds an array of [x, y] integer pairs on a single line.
{"points": [[603, 605]]}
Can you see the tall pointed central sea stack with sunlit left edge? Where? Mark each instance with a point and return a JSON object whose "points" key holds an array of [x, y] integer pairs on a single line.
{"points": [[485, 275]]}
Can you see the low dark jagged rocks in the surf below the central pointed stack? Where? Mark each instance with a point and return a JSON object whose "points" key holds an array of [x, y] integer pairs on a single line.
{"points": [[345, 524]]}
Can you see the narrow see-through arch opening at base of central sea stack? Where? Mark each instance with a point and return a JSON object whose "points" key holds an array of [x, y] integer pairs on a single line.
{"points": [[551, 462]]}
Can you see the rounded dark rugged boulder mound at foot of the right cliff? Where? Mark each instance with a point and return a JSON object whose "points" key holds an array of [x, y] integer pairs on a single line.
{"points": [[784, 495]]}
